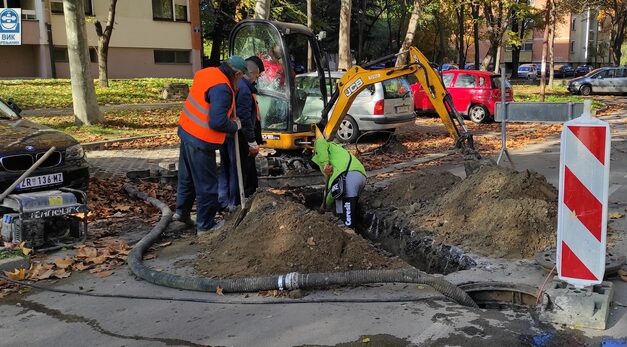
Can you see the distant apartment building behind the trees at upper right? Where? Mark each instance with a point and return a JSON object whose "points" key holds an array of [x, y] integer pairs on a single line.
{"points": [[579, 39]]}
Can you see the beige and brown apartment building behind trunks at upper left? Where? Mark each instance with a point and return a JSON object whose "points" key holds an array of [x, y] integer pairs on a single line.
{"points": [[151, 38]]}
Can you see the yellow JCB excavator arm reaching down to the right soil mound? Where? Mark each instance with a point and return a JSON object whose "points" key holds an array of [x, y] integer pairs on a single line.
{"points": [[356, 79]]}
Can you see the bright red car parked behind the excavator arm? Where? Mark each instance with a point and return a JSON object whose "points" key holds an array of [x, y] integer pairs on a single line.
{"points": [[475, 93]]}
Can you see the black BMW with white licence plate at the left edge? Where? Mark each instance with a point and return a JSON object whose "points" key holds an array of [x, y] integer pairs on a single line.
{"points": [[23, 142]]}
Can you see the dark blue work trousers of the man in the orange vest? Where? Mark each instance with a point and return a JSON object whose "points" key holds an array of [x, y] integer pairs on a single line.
{"points": [[198, 180]]}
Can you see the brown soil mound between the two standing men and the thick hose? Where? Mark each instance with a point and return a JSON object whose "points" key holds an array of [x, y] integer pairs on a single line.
{"points": [[278, 236]]}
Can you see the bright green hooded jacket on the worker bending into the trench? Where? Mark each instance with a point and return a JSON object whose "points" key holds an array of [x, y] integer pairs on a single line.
{"points": [[326, 152]]}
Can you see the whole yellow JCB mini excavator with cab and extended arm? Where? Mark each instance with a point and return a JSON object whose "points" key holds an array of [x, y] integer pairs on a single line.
{"points": [[295, 111]]}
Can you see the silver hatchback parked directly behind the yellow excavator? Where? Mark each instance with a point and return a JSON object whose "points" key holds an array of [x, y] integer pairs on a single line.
{"points": [[383, 106]]}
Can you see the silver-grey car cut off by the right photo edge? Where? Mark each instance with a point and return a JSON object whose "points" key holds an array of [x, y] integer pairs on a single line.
{"points": [[603, 80]]}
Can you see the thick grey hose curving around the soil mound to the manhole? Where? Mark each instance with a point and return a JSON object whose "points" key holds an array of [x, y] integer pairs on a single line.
{"points": [[288, 281]]}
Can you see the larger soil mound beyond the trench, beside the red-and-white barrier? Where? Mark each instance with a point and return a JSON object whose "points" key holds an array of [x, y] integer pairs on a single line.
{"points": [[495, 212]]}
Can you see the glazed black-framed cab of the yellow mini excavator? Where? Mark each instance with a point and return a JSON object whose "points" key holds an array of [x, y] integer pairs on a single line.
{"points": [[283, 49]]}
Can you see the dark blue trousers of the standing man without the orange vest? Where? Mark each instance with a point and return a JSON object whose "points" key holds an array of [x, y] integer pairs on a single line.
{"points": [[228, 187]]}
